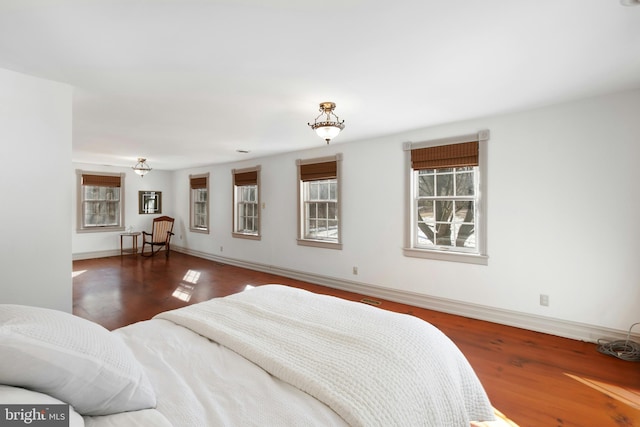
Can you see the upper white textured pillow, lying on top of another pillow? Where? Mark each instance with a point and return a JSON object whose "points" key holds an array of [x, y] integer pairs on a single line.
{"points": [[71, 359]]}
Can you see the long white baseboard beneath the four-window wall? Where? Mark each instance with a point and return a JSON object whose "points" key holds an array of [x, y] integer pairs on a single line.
{"points": [[548, 325]]}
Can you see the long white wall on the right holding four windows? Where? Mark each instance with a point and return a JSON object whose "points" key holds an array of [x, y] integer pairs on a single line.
{"points": [[563, 205]]}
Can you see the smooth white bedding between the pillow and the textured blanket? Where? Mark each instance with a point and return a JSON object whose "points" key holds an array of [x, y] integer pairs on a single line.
{"points": [[200, 383]]}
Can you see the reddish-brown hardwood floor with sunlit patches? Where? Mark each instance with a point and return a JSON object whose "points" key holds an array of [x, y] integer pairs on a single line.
{"points": [[534, 379]]}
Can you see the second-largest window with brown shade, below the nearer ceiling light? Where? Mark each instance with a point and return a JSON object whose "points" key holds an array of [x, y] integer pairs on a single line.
{"points": [[319, 202]]}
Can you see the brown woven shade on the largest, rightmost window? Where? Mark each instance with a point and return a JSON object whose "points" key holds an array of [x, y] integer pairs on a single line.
{"points": [[445, 156]]}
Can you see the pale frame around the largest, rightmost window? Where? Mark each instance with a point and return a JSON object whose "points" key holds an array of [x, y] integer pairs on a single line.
{"points": [[480, 255]]}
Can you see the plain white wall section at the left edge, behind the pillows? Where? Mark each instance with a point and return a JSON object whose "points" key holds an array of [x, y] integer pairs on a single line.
{"points": [[35, 133]]}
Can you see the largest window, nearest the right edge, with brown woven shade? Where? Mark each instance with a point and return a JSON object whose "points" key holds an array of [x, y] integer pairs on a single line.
{"points": [[447, 218]]}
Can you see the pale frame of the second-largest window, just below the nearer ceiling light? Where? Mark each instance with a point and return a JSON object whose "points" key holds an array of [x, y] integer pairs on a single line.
{"points": [[301, 239]]}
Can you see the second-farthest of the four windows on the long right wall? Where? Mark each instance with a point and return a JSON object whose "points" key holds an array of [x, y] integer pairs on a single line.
{"points": [[246, 203]]}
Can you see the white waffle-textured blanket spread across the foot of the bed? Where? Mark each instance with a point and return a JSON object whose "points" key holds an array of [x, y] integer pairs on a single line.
{"points": [[372, 367]]}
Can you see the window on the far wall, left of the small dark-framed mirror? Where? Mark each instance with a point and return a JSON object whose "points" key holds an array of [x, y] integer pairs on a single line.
{"points": [[100, 206]]}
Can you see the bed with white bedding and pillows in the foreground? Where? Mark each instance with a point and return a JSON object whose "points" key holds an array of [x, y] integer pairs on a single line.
{"points": [[268, 356]]}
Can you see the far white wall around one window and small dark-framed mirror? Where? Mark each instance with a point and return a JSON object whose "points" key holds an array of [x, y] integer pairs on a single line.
{"points": [[96, 244]]}
